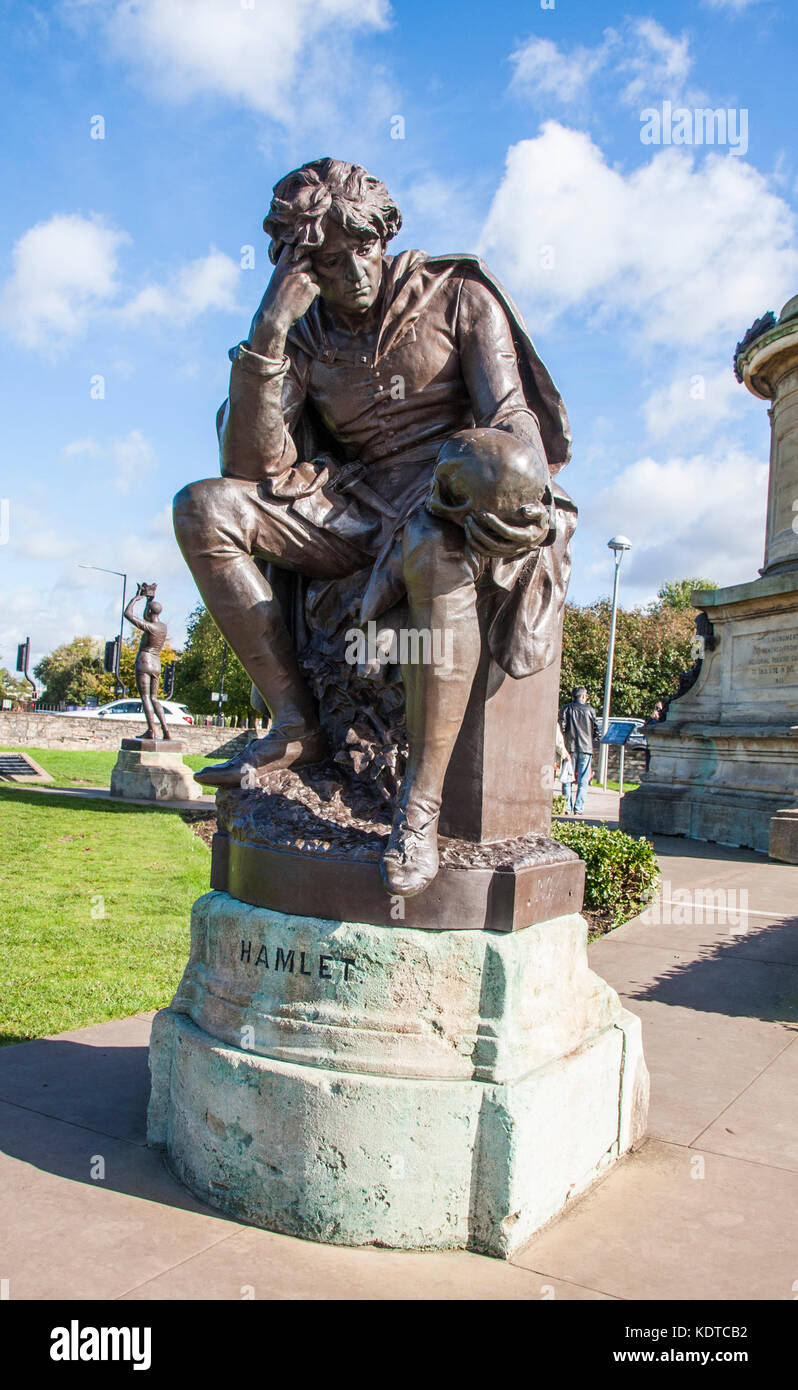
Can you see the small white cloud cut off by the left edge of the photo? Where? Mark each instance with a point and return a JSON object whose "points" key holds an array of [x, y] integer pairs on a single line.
{"points": [[65, 270]]}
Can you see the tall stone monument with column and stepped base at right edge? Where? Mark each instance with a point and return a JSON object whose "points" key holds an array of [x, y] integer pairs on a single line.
{"points": [[725, 765]]}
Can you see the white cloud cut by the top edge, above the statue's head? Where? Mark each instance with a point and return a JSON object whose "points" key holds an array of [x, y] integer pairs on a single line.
{"points": [[262, 56]]}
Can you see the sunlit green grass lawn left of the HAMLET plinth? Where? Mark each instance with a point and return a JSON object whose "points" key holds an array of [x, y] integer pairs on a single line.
{"points": [[95, 901]]}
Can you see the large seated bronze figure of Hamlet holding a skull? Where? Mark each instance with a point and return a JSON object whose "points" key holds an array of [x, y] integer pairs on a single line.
{"points": [[390, 432]]}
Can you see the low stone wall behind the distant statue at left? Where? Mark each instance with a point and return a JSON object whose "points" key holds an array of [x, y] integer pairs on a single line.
{"points": [[37, 729]]}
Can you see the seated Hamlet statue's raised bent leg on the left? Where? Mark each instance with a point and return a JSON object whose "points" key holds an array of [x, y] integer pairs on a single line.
{"points": [[222, 526]]}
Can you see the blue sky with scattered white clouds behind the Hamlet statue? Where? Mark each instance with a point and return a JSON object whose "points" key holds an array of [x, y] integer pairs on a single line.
{"points": [[637, 266]]}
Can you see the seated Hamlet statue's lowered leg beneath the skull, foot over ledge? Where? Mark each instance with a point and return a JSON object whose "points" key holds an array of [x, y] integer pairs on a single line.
{"points": [[444, 646]]}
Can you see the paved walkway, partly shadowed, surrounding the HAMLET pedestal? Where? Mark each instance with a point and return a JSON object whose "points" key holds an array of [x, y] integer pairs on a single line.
{"points": [[706, 1210]]}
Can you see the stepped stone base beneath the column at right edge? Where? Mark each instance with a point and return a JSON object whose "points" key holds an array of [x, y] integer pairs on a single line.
{"points": [[725, 764]]}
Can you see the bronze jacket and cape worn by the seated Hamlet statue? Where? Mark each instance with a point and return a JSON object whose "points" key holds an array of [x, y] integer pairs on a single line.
{"points": [[450, 351]]}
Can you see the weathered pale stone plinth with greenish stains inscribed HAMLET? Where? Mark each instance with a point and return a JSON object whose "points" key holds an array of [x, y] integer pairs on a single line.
{"points": [[391, 1086]]}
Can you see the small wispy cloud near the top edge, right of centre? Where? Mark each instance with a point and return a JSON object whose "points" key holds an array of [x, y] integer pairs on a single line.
{"points": [[654, 63]]}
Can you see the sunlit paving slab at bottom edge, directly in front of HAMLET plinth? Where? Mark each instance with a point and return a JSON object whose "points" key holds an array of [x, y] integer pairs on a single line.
{"points": [[265, 1267]]}
